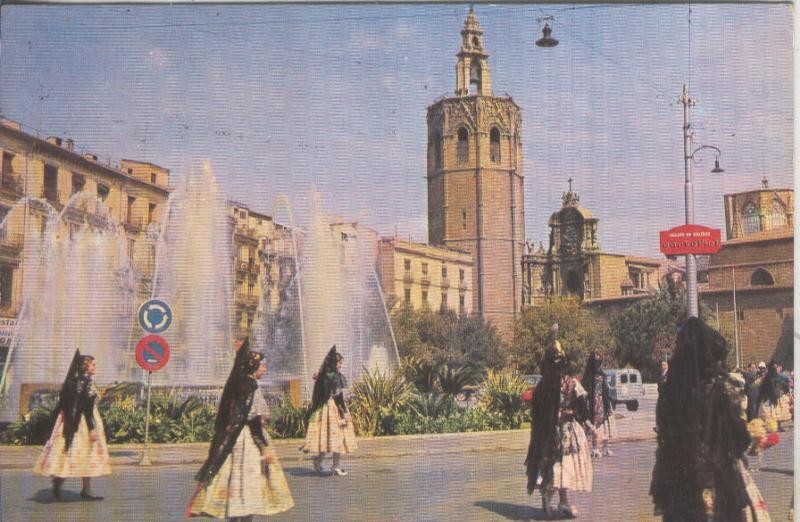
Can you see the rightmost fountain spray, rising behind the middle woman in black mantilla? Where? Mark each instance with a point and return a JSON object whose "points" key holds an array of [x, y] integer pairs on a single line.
{"points": [[333, 298]]}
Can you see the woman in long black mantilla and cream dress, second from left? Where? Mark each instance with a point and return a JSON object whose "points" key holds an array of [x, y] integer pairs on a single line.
{"points": [[241, 476]]}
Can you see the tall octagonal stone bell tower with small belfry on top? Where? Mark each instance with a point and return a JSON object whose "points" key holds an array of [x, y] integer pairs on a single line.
{"points": [[475, 182]]}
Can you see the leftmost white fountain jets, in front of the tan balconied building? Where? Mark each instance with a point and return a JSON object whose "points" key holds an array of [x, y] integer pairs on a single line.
{"points": [[78, 291]]}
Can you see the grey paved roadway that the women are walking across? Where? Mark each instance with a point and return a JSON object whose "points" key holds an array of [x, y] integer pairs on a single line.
{"points": [[472, 476]]}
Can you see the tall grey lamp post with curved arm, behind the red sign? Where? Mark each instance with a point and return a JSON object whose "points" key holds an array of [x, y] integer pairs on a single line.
{"points": [[688, 157]]}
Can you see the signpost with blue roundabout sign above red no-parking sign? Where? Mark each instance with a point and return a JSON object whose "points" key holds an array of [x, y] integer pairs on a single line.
{"points": [[152, 353]]}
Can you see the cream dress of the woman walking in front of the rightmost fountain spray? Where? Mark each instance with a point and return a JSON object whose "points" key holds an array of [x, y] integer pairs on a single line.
{"points": [[327, 431]]}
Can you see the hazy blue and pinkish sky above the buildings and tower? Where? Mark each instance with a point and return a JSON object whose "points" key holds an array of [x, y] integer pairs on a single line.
{"points": [[283, 98]]}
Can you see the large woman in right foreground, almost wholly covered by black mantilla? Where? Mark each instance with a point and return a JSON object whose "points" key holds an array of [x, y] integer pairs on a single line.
{"points": [[699, 474]]}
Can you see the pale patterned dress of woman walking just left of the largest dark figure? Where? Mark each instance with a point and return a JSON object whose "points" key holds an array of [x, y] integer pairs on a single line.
{"points": [[573, 467]]}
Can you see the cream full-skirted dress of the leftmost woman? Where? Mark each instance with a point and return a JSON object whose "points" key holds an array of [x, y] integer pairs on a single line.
{"points": [[83, 458]]}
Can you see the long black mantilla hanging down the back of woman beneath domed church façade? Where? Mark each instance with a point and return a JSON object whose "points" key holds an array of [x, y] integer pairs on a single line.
{"points": [[543, 447]]}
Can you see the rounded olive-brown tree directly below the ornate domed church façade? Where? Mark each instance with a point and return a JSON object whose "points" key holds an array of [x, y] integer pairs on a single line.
{"points": [[580, 331]]}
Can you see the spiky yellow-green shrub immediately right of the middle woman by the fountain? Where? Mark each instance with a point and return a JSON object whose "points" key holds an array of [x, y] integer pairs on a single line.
{"points": [[375, 401]]}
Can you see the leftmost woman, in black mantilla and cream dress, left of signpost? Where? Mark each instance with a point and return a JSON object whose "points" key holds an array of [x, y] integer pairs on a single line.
{"points": [[77, 445]]}
